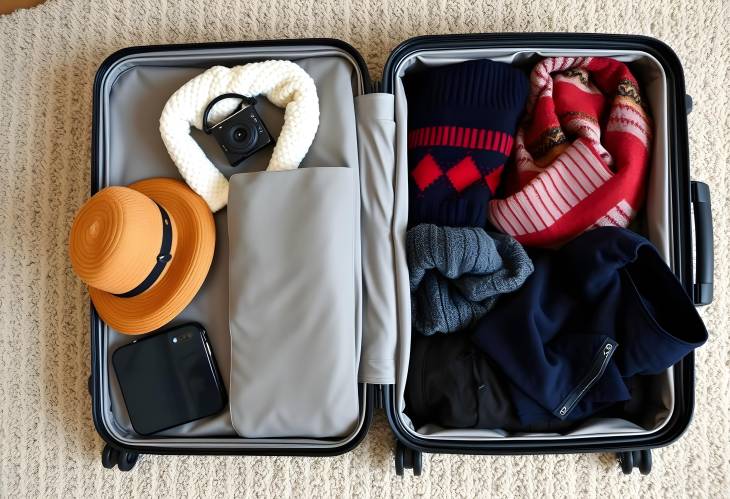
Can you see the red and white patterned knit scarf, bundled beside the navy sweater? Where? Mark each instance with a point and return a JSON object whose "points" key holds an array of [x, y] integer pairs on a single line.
{"points": [[581, 152]]}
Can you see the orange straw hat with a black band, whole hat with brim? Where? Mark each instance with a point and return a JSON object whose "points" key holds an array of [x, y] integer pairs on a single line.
{"points": [[143, 250]]}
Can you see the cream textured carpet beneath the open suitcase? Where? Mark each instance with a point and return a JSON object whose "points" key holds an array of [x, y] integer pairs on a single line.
{"points": [[48, 56]]}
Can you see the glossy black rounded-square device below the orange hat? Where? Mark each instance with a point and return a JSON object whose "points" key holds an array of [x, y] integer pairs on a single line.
{"points": [[169, 378]]}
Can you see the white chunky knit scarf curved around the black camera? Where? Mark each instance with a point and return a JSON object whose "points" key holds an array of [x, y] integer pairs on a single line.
{"points": [[285, 85]]}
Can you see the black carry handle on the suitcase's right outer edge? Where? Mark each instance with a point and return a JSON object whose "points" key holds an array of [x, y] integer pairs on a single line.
{"points": [[705, 260]]}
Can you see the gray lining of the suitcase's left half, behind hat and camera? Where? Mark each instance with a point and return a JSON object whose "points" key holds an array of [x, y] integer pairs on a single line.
{"points": [[134, 92]]}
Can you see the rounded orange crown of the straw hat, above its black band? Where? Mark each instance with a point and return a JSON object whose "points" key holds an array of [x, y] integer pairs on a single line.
{"points": [[115, 239]]}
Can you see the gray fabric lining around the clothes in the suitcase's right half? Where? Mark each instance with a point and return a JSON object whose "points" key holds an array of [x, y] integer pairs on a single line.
{"points": [[651, 75]]}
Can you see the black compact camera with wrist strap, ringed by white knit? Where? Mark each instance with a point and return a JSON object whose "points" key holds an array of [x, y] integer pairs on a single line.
{"points": [[242, 133]]}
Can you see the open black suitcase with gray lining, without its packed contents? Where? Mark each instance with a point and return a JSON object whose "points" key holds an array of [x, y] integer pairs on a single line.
{"points": [[363, 127]]}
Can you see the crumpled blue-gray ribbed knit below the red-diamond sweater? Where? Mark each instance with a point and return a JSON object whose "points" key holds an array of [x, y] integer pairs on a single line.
{"points": [[457, 273]]}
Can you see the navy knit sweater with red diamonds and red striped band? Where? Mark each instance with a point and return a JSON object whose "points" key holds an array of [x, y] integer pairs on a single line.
{"points": [[462, 120]]}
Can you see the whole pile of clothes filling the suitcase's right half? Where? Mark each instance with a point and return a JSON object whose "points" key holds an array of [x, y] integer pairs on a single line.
{"points": [[560, 343]]}
